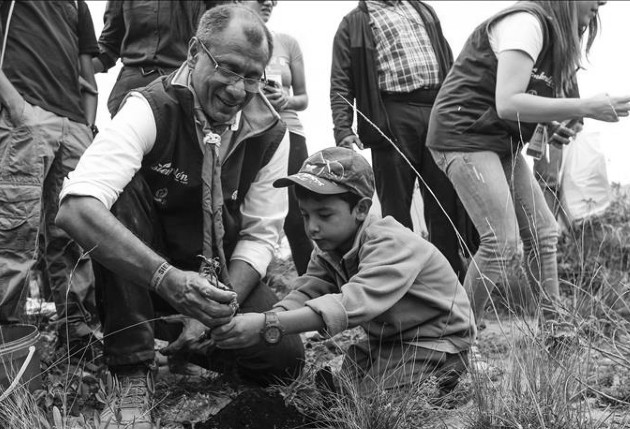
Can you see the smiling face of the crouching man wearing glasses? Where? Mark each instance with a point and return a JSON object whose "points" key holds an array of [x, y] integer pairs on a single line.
{"points": [[232, 51]]}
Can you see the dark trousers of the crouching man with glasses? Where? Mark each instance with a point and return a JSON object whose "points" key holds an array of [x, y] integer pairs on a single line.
{"points": [[130, 312]]}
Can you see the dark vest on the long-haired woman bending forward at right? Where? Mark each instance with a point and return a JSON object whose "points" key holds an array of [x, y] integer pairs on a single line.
{"points": [[464, 117]]}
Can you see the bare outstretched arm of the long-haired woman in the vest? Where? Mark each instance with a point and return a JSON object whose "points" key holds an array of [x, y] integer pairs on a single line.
{"points": [[513, 103]]}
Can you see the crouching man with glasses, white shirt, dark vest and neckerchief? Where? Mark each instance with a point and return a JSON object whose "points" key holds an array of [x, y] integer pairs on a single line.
{"points": [[149, 168]]}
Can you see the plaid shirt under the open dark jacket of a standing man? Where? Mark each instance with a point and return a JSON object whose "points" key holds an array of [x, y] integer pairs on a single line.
{"points": [[405, 58]]}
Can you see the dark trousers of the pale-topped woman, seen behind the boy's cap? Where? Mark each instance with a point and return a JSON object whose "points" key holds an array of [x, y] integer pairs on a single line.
{"points": [[301, 245]]}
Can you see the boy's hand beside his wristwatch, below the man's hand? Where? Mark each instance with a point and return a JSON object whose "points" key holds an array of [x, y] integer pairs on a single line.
{"points": [[242, 331]]}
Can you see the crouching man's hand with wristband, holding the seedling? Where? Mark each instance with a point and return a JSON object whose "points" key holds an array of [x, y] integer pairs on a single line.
{"points": [[192, 295]]}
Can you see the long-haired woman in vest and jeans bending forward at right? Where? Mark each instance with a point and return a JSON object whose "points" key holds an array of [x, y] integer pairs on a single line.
{"points": [[511, 75]]}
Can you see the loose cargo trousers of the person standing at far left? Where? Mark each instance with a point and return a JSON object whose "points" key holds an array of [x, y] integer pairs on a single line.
{"points": [[37, 150]]}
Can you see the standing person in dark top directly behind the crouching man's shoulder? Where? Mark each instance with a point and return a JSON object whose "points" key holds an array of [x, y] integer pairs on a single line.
{"points": [[150, 37]]}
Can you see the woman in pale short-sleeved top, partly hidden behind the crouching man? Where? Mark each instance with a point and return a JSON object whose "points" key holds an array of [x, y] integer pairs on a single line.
{"points": [[287, 94]]}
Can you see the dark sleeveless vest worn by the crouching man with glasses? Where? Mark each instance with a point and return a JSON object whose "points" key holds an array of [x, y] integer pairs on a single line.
{"points": [[173, 172]]}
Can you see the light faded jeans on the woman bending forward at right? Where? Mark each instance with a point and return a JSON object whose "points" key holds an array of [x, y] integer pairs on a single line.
{"points": [[504, 202]]}
